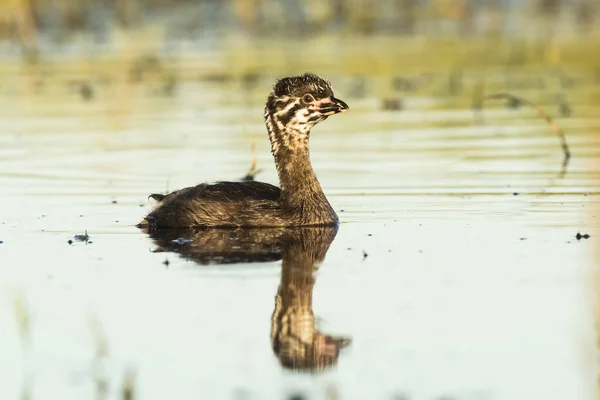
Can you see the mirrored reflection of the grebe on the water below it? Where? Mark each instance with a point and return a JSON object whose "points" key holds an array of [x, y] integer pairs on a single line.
{"points": [[295, 339]]}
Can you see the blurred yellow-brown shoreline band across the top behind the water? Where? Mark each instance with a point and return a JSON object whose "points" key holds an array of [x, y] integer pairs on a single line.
{"points": [[519, 31]]}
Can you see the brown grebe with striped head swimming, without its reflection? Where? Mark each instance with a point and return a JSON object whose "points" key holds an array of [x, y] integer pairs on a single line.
{"points": [[295, 105]]}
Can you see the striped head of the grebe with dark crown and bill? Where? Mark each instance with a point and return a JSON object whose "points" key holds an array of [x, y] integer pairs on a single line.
{"points": [[298, 103]]}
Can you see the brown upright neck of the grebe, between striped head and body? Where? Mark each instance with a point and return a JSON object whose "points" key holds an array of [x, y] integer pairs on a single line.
{"points": [[300, 189]]}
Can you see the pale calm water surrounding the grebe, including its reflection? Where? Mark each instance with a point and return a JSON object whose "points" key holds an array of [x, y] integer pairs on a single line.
{"points": [[455, 273]]}
